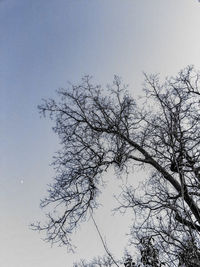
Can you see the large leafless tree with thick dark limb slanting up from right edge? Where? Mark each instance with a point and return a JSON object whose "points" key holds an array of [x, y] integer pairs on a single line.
{"points": [[101, 128]]}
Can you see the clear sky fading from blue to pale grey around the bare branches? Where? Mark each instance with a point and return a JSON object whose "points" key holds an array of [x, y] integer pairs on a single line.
{"points": [[43, 45]]}
